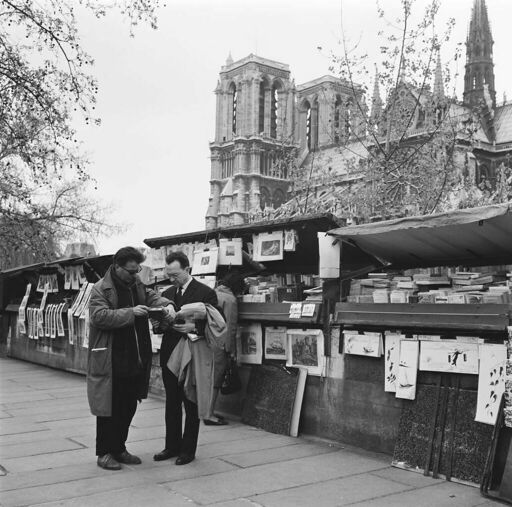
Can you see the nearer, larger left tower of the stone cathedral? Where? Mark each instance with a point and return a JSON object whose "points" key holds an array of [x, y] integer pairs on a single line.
{"points": [[254, 123]]}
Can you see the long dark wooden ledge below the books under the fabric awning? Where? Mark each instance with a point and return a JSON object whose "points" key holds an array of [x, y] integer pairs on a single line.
{"points": [[474, 317]]}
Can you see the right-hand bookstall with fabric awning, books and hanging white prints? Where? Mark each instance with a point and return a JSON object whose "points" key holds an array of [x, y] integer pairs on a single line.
{"points": [[427, 341]]}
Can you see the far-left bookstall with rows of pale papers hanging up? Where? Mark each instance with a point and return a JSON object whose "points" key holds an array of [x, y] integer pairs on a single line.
{"points": [[45, 310]]}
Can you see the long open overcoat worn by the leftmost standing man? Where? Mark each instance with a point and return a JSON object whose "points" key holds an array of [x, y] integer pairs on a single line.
{"points": [[105, 317]]}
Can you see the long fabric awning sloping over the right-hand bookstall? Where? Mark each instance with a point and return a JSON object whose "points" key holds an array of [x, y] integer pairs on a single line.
{"points": [[472, 237]]}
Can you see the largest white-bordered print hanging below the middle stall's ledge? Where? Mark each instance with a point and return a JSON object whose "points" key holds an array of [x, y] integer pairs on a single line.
{"points": [[306, 348]]}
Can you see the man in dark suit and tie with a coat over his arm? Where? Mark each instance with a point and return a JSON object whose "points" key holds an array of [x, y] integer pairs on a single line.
{"points": [[185, 290]]}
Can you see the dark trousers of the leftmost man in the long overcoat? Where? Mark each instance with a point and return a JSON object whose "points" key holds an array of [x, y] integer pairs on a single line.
{"points": [[112, 432]]}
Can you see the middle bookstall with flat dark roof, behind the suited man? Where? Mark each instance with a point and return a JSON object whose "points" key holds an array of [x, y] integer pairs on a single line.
{"points": [[283, 317]]}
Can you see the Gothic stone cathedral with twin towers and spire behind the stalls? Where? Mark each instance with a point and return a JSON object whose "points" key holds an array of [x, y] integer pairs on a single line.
{"points": [[262, 115]]}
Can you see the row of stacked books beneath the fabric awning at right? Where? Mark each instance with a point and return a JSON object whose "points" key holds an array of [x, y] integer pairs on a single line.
{"points": [[460, 287]]}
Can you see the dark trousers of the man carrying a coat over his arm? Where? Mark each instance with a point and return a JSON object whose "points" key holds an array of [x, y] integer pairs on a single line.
{"points": [[180, 441]]}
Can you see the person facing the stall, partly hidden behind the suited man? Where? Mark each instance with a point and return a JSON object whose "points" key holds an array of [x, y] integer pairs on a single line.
{"points": [[227, 291]]}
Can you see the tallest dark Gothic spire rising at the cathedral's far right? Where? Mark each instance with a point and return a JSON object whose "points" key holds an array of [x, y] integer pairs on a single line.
{"points": [[479, 63]]}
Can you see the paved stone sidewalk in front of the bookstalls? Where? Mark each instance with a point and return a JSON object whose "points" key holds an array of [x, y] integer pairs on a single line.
{"points": [[47, 458]]}
